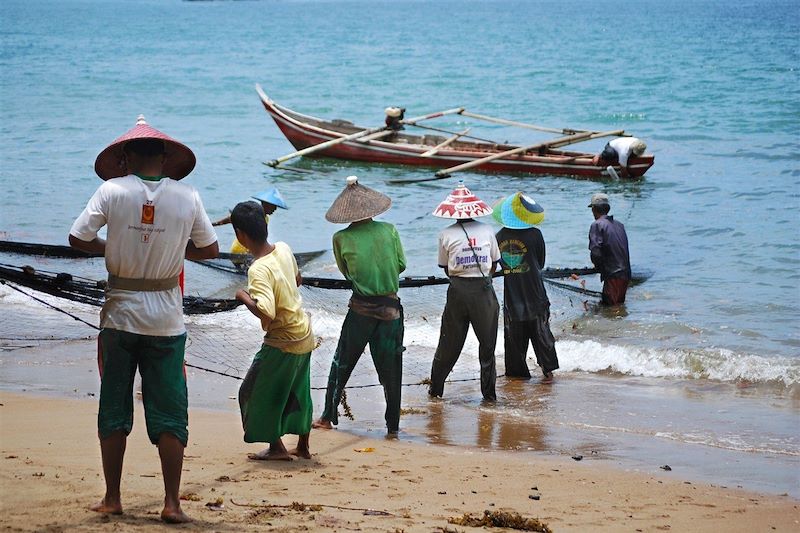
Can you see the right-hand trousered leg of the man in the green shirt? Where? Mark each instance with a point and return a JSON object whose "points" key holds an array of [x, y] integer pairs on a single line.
{"points": [[386, 347]]}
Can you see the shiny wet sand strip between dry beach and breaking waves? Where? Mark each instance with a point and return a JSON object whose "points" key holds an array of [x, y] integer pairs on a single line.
{"points": [[624, 422]]}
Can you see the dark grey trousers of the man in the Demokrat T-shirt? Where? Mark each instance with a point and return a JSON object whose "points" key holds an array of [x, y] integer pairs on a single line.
{"points": [[469, 301]]}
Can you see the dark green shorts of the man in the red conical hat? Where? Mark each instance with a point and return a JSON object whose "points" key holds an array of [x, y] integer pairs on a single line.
{"points": [[160, 363]]}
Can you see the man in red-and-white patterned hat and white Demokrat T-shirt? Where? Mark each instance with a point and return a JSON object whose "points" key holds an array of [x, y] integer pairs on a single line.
{"points": [[468, 253]]}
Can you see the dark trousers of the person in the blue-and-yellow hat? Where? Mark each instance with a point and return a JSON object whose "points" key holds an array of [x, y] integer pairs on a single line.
{"points": [[518, 333]]}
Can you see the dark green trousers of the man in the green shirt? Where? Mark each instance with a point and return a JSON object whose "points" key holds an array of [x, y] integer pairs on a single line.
{"points": [[385, 339]]}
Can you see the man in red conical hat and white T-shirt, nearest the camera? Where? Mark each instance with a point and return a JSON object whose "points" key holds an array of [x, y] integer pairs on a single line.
{"points": [[153, 221]]}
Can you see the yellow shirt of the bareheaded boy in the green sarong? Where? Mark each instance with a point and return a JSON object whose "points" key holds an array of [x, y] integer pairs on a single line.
{"points": [[272, 283]]}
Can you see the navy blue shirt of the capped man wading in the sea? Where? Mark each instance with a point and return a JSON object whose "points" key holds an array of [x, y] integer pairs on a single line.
{"points": [[608, 247]]}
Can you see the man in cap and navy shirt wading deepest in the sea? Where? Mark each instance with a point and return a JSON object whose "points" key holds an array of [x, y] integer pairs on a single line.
{"points": [[608, 248]]}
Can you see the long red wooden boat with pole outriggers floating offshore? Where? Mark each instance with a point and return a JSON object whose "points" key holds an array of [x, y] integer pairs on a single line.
{"points": [[343, 140]]}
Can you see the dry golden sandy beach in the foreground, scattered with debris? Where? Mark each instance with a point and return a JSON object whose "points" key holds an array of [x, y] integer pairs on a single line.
{"points": [[51, 472]]}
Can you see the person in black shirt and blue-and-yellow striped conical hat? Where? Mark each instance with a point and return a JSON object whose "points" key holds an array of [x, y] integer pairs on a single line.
{"points": [[526, 309]]}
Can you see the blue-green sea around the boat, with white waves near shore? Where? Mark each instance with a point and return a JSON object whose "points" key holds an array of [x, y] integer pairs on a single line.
{"points": [[711, 86]]}
